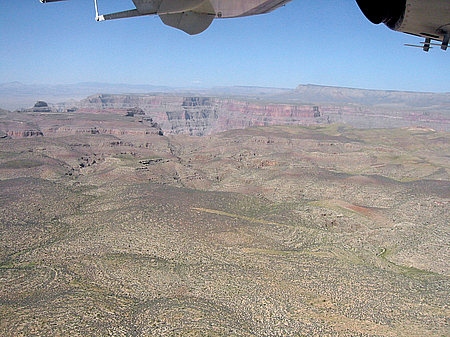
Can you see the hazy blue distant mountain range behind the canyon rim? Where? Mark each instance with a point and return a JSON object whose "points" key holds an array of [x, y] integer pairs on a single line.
{"points": [[16, 95]]}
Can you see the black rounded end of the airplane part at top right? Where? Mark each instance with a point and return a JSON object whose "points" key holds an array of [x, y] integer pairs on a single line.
{"points": [[389, 12]]}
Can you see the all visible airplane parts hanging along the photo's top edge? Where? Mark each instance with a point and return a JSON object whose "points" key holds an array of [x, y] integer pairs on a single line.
{"points": [[426, 18]]}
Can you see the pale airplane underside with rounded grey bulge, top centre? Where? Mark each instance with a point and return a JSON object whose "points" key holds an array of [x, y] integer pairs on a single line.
{"points": [[194, 16]]}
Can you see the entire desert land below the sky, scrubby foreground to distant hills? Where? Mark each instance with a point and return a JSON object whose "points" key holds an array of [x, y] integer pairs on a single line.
{"points": [[234, 211]]}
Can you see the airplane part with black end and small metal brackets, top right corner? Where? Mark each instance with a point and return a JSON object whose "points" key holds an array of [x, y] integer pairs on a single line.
{"points": [[425, 18]]}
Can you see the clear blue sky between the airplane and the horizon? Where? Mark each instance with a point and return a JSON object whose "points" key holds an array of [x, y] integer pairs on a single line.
{"points": [[327, 42]]}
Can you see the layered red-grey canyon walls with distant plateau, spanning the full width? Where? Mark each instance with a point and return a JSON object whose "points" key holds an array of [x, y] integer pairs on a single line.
{"points": [[202, 114]]}
